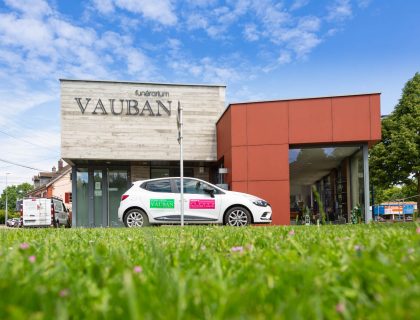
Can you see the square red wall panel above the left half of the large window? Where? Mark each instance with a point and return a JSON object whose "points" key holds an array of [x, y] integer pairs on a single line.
{"points": [[310, 121]]}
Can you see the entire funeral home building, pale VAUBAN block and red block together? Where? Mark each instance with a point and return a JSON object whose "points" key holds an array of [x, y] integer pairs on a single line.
{"points": [[114, 133]]}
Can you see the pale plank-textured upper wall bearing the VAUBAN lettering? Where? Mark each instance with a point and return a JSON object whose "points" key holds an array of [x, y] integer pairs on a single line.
{"points": [[105, 133]]}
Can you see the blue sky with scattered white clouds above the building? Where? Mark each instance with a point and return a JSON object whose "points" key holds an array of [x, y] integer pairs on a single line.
{"points": [[259, 49]]}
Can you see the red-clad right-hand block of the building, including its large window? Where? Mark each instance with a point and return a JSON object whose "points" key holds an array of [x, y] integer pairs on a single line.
{"points": [[280, 150]]}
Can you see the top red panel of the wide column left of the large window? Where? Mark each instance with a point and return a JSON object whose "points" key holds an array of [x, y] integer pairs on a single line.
{"points": [[267, 123]]}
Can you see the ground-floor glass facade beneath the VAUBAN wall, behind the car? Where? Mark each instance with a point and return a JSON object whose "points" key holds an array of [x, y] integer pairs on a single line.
{"points": [[98, 188]]}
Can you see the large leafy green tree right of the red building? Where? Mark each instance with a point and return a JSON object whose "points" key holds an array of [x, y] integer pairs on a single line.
{"points": [[396, 159]]}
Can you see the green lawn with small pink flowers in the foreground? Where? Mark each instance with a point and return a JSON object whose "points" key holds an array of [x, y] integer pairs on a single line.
{"points": [[328, 272]]}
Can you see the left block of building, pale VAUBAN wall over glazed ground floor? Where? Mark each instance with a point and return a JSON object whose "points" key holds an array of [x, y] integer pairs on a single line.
{"points": [[117, 132]]}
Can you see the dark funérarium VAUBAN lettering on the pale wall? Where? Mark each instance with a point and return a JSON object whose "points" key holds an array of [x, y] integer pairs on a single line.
{"points": [[153, 106]]}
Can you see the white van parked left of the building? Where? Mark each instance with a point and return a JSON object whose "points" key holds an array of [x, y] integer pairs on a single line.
{"points": [[44, 212]]}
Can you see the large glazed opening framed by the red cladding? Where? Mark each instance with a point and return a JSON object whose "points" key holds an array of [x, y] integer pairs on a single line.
{"points": [[329, 178]]}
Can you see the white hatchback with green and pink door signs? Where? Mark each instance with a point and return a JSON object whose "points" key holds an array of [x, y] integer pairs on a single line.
{"points": [[158, 201]]}
